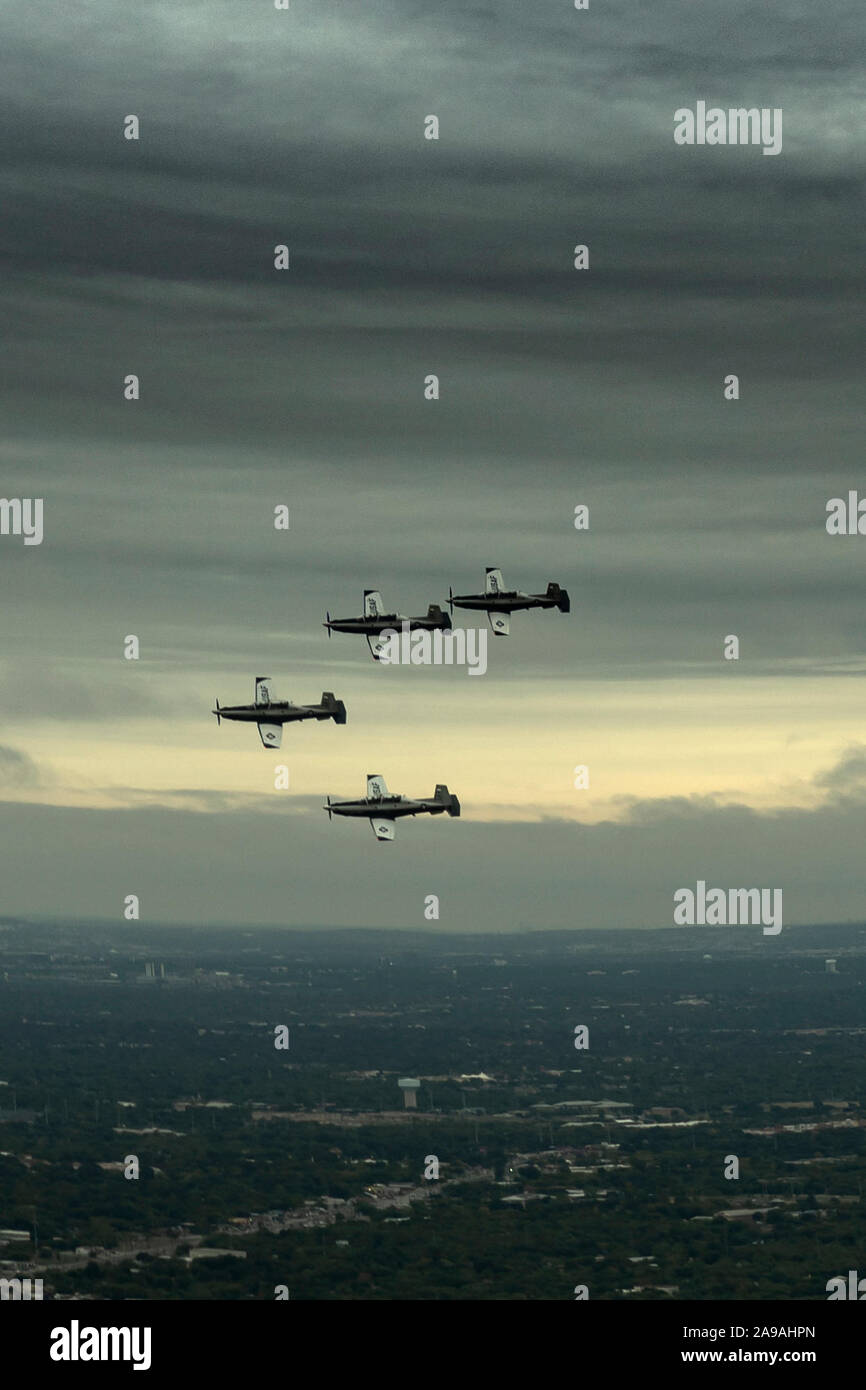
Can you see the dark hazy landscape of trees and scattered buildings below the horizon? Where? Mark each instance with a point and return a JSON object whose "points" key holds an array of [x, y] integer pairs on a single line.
{"points": [[558, 1167]]}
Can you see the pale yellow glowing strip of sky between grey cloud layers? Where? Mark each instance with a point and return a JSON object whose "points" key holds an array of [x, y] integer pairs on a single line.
{"points": [[509, 751]]}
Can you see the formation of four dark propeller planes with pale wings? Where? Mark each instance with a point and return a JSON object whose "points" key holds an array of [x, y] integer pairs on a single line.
{"points": [[380, 807]]}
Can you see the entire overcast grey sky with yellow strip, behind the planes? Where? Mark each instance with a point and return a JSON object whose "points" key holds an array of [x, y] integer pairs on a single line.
{"points": [[307, 387]]}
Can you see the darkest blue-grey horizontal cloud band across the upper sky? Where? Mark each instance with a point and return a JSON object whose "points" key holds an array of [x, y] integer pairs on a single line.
{"points": [[450, 223]]}
